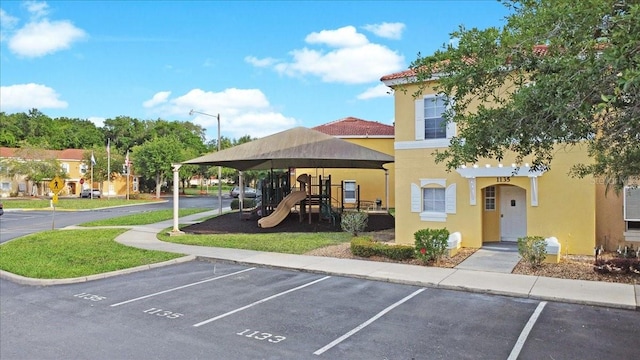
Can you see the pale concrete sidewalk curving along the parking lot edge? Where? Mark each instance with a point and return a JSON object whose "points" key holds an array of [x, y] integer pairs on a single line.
{"points": [[473, 278]]}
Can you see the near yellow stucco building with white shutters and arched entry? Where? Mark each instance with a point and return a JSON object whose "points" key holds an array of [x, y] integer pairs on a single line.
{"points": [[493, 201]]}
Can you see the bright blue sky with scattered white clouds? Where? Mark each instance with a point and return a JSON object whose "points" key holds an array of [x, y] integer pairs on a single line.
{"points": [[264, 66]]}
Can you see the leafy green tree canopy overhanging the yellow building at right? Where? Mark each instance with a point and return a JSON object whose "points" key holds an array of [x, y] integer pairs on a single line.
{"points": [[558, 73]]}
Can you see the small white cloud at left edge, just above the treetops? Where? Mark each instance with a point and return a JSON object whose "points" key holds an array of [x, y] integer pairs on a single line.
{"points": [[23, 97]]}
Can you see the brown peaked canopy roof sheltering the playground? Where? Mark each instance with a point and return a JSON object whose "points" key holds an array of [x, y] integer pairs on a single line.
{"points": [[298, 147]]}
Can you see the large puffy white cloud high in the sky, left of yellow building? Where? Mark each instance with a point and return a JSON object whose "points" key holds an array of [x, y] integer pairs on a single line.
{"points": [[350, 58]]}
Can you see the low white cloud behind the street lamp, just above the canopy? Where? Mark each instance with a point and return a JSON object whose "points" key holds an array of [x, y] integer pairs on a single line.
{"points": [[242, 112]]}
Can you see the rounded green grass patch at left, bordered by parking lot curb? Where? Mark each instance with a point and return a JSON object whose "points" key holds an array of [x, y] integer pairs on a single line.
{"points": [[56, 254]]}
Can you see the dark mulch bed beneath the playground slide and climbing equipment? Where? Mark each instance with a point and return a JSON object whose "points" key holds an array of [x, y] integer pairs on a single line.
{"points": [[232, 223]]}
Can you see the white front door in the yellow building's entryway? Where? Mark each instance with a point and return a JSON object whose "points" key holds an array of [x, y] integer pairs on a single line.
{"points": [[513, 213]]}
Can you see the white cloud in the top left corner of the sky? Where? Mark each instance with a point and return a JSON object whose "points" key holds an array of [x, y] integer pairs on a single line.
{"points": [[40, 36]]}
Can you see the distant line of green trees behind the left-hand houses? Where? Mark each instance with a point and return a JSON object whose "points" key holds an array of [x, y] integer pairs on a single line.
{"points": [[153, 145]]}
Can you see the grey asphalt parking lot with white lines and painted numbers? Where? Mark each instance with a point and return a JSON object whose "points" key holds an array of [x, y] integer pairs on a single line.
{"points": [[220, 310]]}
